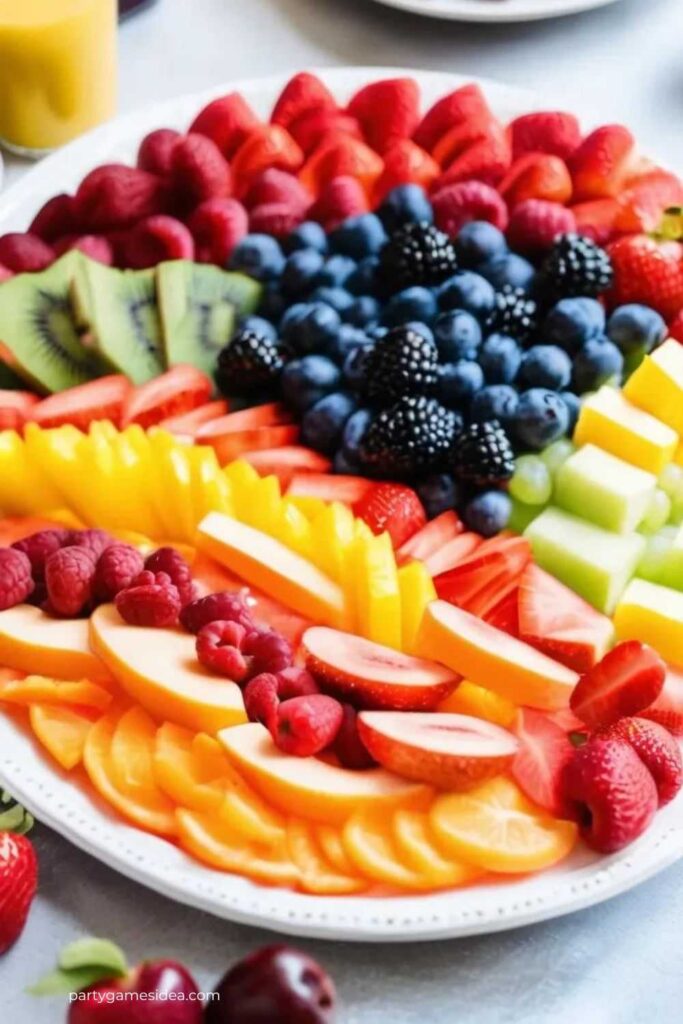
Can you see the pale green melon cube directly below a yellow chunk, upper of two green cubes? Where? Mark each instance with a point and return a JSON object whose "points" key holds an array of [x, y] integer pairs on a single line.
{"points": [[604, 489]]}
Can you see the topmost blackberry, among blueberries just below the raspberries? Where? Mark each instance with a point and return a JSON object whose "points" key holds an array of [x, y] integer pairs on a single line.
{"points": [[416, 254]]}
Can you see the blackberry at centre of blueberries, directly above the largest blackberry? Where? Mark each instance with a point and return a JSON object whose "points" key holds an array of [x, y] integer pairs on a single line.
{"points": [[404, 362]]}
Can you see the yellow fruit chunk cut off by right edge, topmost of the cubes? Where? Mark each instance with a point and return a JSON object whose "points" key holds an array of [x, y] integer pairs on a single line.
{"points": [[657, 387]]}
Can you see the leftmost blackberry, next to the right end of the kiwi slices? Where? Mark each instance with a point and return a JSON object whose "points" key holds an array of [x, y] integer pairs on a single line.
{"points": [[250, 363]]}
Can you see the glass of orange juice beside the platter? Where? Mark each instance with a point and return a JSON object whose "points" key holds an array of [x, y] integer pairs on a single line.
{"points": [[58, 71]]}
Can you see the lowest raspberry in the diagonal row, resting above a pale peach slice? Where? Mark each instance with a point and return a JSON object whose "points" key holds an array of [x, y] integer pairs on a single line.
{"points": [[306, 727]]}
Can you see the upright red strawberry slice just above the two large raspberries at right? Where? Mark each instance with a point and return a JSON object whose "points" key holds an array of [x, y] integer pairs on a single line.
{"points": [[628, 680]]}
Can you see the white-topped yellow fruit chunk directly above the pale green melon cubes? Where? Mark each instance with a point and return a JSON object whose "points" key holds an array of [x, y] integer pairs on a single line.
{"points": [[612, 422]]}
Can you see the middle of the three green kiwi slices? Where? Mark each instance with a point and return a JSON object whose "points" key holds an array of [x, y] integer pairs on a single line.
{"points": [[118, 310]]}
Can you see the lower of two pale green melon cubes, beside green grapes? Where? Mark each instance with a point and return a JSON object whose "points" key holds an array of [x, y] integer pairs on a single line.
{"points": [[596, 564]]}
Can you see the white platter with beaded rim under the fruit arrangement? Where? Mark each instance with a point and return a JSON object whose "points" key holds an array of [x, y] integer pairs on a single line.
{"points": [[54, 797]]}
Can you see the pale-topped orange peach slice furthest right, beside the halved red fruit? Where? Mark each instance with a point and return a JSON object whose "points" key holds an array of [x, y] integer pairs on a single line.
{"points": [[494, 659]]}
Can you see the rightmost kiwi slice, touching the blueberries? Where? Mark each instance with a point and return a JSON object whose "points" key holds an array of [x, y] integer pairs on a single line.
{"points": [[199, 306]]}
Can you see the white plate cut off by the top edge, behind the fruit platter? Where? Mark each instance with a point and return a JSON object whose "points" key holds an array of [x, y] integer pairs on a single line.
{"points": [[495, 12]]}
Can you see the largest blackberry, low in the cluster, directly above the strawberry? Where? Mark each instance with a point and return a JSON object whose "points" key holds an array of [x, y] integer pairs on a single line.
{"points": [[411, 439]]}
